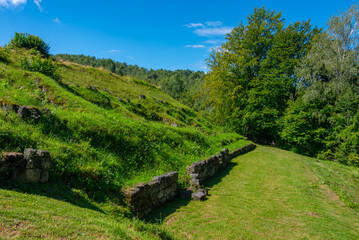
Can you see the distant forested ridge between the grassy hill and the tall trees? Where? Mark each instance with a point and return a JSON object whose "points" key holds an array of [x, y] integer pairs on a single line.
{"points": [[182, 85]]}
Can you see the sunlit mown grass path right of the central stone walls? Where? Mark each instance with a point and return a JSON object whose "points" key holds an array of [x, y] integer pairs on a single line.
{"points": [[266, 194]]}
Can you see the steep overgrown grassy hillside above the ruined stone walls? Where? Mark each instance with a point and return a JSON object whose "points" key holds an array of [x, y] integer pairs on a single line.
{"points": [[99, 140]]}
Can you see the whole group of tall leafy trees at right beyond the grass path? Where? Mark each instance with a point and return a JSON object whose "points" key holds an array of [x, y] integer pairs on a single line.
{"points": [[290, 85]]}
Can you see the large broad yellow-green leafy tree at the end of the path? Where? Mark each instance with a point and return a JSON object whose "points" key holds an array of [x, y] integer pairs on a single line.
{"points": [[251, 76]]}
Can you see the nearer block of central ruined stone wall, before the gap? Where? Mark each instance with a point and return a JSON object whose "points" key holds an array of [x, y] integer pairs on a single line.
{"points": [[144, 197]]}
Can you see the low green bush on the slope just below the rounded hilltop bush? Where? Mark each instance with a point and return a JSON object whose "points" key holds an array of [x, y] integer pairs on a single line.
{"points": [[45, 66]]}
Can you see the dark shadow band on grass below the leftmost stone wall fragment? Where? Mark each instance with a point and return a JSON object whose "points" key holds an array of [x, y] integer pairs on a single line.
{"points": [[57, 191]]}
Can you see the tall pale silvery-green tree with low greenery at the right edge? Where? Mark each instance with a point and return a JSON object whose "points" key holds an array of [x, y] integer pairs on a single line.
{"points": [[329, 94]]}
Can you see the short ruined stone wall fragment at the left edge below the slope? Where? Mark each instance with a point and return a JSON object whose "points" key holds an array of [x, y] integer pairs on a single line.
{"points": [[32, 166]]}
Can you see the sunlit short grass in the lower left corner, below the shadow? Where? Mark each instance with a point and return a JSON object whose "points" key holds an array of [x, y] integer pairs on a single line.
{"points": [[31, 216]]}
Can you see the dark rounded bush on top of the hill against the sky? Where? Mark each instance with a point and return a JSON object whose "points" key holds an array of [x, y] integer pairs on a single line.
{"points": [[24, 40]]}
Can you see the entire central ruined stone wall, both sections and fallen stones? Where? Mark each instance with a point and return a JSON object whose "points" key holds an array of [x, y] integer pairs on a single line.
{"points": [[144, 197]]}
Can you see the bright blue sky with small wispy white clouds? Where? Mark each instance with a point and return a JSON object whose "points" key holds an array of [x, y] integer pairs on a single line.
{"points": [[153, 34]]}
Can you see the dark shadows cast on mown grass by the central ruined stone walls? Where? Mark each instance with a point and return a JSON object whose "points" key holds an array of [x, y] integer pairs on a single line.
{"points": [[160, 214]]}
